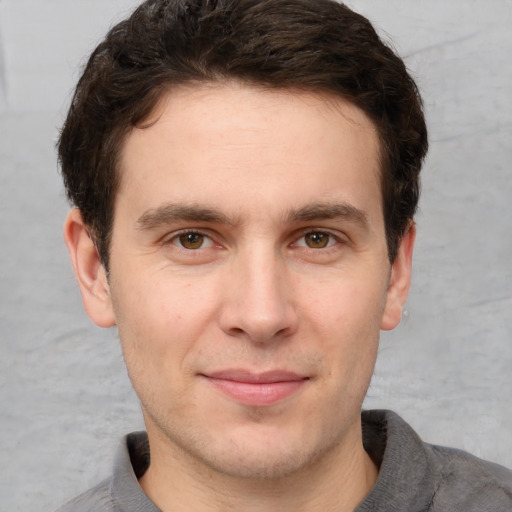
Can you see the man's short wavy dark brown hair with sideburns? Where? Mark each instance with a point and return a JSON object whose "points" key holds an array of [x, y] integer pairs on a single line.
{"points": [[313, 45]]}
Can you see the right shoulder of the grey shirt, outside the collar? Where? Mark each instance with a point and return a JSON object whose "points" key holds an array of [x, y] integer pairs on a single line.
{"points": [[469, 483]]}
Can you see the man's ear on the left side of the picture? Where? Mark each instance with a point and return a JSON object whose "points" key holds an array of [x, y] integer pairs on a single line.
{"points": [[89, 271]]}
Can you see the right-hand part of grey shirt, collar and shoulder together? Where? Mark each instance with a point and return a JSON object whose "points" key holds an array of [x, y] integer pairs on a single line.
{"points": [[415, 475]]}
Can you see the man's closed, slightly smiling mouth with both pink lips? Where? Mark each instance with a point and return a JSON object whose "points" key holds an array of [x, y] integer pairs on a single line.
{"points": [[256, 389]]}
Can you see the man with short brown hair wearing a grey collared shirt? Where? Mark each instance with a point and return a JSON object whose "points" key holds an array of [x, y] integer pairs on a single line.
{"points": [[245, 175]]}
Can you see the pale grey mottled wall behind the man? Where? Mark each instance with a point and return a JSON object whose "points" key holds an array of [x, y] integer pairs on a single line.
{"points": [[64, 397]]}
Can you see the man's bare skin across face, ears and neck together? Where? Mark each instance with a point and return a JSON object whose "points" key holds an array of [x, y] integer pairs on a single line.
{"points": [[282, 267]]}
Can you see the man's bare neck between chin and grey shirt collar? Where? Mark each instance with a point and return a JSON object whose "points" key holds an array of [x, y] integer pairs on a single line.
{"points": [[338, 481]]}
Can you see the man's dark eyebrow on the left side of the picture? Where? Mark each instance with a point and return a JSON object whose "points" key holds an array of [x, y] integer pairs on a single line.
{"points": [[169, 213]]}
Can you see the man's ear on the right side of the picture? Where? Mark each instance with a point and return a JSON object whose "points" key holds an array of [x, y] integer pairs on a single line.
{"points": [[400, 281]]}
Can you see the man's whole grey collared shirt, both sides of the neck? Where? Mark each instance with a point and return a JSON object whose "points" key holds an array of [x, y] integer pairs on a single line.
{"points": [[413, 476]]}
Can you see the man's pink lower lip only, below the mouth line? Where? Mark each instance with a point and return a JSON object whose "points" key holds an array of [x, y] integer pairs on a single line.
{"points": [[257, 394]]}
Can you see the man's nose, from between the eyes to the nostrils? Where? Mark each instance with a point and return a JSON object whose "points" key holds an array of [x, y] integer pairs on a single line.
{"points": [[258, 299]]}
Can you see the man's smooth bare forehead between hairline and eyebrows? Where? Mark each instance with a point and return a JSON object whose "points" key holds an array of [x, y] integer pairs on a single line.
{"points": [[243, 148]]}
